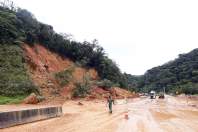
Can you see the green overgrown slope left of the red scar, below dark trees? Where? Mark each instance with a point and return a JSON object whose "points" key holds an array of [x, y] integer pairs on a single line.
{"points": [[14, 79]]}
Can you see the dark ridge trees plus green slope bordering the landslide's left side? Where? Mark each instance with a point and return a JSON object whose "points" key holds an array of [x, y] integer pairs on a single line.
{"points": [[19, 26]]}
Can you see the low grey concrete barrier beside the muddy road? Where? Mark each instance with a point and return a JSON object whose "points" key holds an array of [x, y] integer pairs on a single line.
{"points": [[12, 118]]}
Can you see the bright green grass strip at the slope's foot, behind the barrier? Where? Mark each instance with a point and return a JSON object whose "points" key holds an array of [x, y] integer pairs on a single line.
{"points": [[11, 100]]}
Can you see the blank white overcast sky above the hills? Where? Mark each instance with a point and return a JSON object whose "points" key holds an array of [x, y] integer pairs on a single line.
{"points": [[137, 34]]}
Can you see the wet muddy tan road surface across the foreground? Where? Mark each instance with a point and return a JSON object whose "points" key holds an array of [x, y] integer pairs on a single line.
{"points": [[136, 115]]}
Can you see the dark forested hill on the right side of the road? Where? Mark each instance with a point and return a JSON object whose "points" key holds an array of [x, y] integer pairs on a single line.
{"points": [[179, 75]]}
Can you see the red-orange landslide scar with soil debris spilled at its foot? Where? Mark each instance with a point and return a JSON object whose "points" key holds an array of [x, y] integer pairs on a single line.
{"points": [[44, 66]]}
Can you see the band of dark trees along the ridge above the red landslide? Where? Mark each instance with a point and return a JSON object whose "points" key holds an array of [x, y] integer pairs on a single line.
{"points": [[19, 25]]}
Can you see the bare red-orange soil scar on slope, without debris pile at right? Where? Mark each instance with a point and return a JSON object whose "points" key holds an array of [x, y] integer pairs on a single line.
{"points": [[43, 64]]}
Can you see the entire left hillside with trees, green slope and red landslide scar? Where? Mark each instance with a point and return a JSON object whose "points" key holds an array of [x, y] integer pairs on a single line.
{"points": [[34, 58]]}
